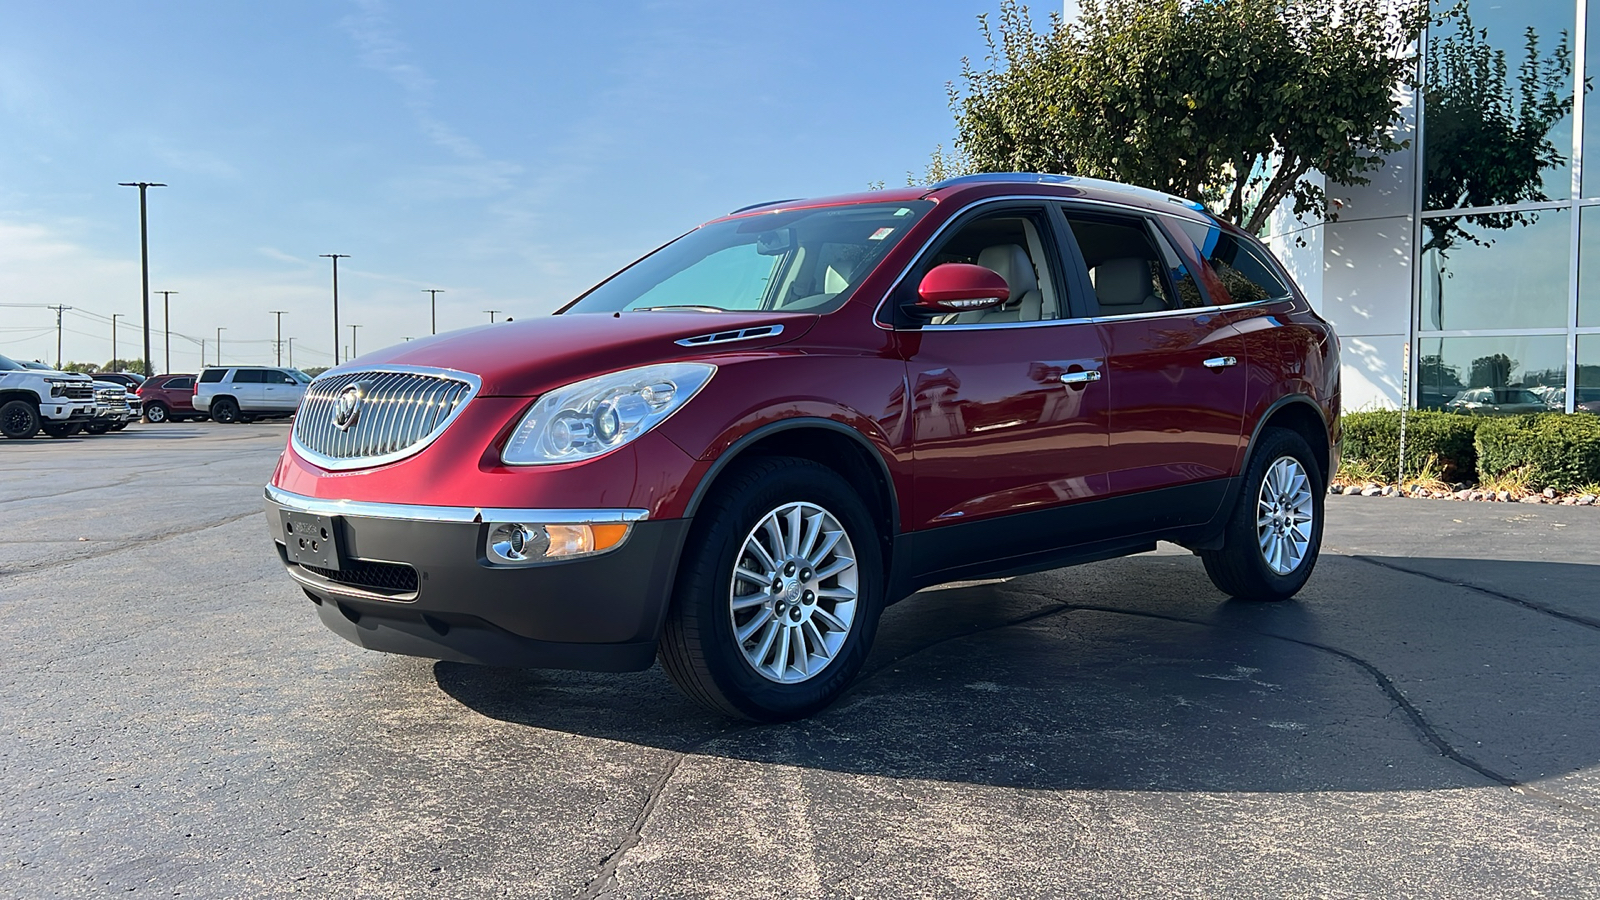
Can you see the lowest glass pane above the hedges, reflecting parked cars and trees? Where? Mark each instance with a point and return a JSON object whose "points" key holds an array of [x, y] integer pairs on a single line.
{"points": [[1492, 376]]}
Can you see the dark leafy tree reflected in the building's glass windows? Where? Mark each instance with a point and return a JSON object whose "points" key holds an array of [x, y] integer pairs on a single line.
{"points": [[1489, 142]]}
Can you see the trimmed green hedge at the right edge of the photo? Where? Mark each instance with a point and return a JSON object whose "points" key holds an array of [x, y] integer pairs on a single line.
{"points": [[1551, 449]]}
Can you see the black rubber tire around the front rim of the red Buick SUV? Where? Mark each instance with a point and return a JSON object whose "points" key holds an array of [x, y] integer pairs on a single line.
{"points": [[698, 646]]}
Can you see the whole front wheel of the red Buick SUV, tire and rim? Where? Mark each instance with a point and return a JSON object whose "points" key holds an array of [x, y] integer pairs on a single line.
{"points": [[778, 593]]}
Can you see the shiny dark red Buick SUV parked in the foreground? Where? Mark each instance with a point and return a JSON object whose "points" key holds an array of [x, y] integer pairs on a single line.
{"points": [[738, 451]]}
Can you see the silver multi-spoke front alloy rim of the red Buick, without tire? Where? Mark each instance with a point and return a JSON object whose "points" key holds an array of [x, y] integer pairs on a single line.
{"points": [[794, 590]]}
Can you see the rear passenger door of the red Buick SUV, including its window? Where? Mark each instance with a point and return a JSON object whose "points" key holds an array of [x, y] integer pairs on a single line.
{"points": [[1177, 368]]}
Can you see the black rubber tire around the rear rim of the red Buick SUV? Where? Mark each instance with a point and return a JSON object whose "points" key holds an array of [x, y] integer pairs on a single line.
{"points": [[1241, 568]]}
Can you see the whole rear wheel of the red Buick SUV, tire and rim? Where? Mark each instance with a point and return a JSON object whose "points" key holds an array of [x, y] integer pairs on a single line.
{"points": [[1274, 534]]}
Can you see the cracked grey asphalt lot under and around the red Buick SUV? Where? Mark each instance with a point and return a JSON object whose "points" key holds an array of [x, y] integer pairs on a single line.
{"points": [[1423, 721]]}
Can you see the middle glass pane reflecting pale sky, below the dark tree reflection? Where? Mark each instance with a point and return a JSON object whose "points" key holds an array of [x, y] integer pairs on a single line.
{"points": [[1513, 278]]}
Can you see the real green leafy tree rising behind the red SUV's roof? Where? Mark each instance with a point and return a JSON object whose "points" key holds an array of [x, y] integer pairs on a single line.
{"points": [[1230, 103]]}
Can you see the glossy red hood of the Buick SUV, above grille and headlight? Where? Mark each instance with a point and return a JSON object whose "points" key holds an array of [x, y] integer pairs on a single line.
{"points": [[522, 360]]}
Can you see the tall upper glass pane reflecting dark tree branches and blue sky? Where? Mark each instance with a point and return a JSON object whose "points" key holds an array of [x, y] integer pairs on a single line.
{"points": [[1498, 105]]}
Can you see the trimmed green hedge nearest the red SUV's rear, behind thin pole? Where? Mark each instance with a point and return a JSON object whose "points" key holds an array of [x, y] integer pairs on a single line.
{"points": [[1375, 440]]}
